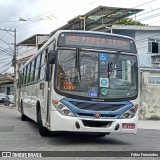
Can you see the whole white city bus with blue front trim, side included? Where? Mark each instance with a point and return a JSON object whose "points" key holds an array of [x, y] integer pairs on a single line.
{"points": [[82, 81]]}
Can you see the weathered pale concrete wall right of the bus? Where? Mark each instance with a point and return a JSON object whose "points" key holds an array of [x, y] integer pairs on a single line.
{"points": [[150, 95]]}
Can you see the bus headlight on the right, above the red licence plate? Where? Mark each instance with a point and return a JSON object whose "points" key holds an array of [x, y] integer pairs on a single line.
{"points": [[130, 113]]}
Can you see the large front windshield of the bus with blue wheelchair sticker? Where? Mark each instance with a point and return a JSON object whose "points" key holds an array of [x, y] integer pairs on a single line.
{"points": [[97, 74]]}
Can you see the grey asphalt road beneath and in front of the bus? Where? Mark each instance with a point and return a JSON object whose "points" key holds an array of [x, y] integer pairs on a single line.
{"points": [[16, 135]]}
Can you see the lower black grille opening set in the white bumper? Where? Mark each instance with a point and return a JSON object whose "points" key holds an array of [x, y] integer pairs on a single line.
{"points": [[102, 124]]}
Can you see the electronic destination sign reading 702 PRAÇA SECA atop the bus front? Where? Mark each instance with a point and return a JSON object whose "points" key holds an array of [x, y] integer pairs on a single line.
{"points": [[96, 41]]}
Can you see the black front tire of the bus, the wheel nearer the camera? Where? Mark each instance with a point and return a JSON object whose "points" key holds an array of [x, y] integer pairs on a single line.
{"points": [[43, 131]]}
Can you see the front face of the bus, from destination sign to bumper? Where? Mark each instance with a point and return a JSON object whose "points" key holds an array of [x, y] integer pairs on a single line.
{"points": [[95, 84]]}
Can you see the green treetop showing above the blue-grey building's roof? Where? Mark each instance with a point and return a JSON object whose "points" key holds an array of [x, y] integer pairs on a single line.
{"points": [[129, 21]]}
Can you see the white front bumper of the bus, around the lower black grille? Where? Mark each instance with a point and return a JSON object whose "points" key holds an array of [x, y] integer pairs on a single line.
{"points": [[59, 122]]}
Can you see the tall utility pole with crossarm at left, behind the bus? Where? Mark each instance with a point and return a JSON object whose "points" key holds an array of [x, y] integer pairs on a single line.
{"points": [[14, 61]]}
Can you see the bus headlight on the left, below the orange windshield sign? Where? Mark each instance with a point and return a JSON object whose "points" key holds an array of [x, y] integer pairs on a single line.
{"points": [[61, 108]]}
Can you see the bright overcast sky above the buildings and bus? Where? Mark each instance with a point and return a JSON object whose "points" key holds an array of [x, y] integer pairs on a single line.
{"points": [[44, 16]]}
